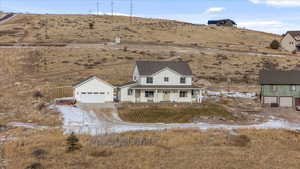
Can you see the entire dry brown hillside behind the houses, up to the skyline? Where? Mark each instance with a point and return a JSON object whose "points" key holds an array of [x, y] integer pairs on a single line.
{"points": [[221, 53]]}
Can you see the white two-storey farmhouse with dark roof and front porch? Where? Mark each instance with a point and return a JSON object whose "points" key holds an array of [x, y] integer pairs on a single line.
{"points": [[161, 82]]}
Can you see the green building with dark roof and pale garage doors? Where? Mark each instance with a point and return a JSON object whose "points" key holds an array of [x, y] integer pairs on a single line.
{"points": [[280, 87]]}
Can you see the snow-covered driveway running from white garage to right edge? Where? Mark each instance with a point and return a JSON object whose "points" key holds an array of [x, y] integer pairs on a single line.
{"points": [[82, 122]]}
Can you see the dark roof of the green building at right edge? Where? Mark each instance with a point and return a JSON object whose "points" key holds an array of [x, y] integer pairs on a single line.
{"points": [[275, 77]]}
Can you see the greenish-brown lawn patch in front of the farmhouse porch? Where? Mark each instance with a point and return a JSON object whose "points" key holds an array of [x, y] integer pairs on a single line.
{"points": [[172, 112]]}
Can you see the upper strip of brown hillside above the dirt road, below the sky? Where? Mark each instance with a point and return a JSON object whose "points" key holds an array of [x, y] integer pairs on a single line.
{"points": [[77, 28]]}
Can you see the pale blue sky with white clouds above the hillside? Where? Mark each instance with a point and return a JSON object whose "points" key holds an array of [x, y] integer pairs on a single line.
{"points": [[274, 16]]}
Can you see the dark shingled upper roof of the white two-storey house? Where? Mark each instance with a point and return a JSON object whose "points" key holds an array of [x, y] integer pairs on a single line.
{"points": [[147, 68]]}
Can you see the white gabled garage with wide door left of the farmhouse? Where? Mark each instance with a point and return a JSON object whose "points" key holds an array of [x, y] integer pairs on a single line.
{"points": [[93, 90]]}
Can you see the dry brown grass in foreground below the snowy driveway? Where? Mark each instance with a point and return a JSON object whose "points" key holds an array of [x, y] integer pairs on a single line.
{"points": [[253, 149]]}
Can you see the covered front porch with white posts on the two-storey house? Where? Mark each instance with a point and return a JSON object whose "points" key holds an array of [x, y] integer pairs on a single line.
{"points": [[167, 94]]}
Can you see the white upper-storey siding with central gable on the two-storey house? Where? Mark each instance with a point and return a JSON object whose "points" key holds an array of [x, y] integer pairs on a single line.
{"points": [[158, 78]]}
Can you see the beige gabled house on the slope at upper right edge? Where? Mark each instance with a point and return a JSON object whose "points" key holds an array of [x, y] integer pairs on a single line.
{"points": [[291, 41]]}
